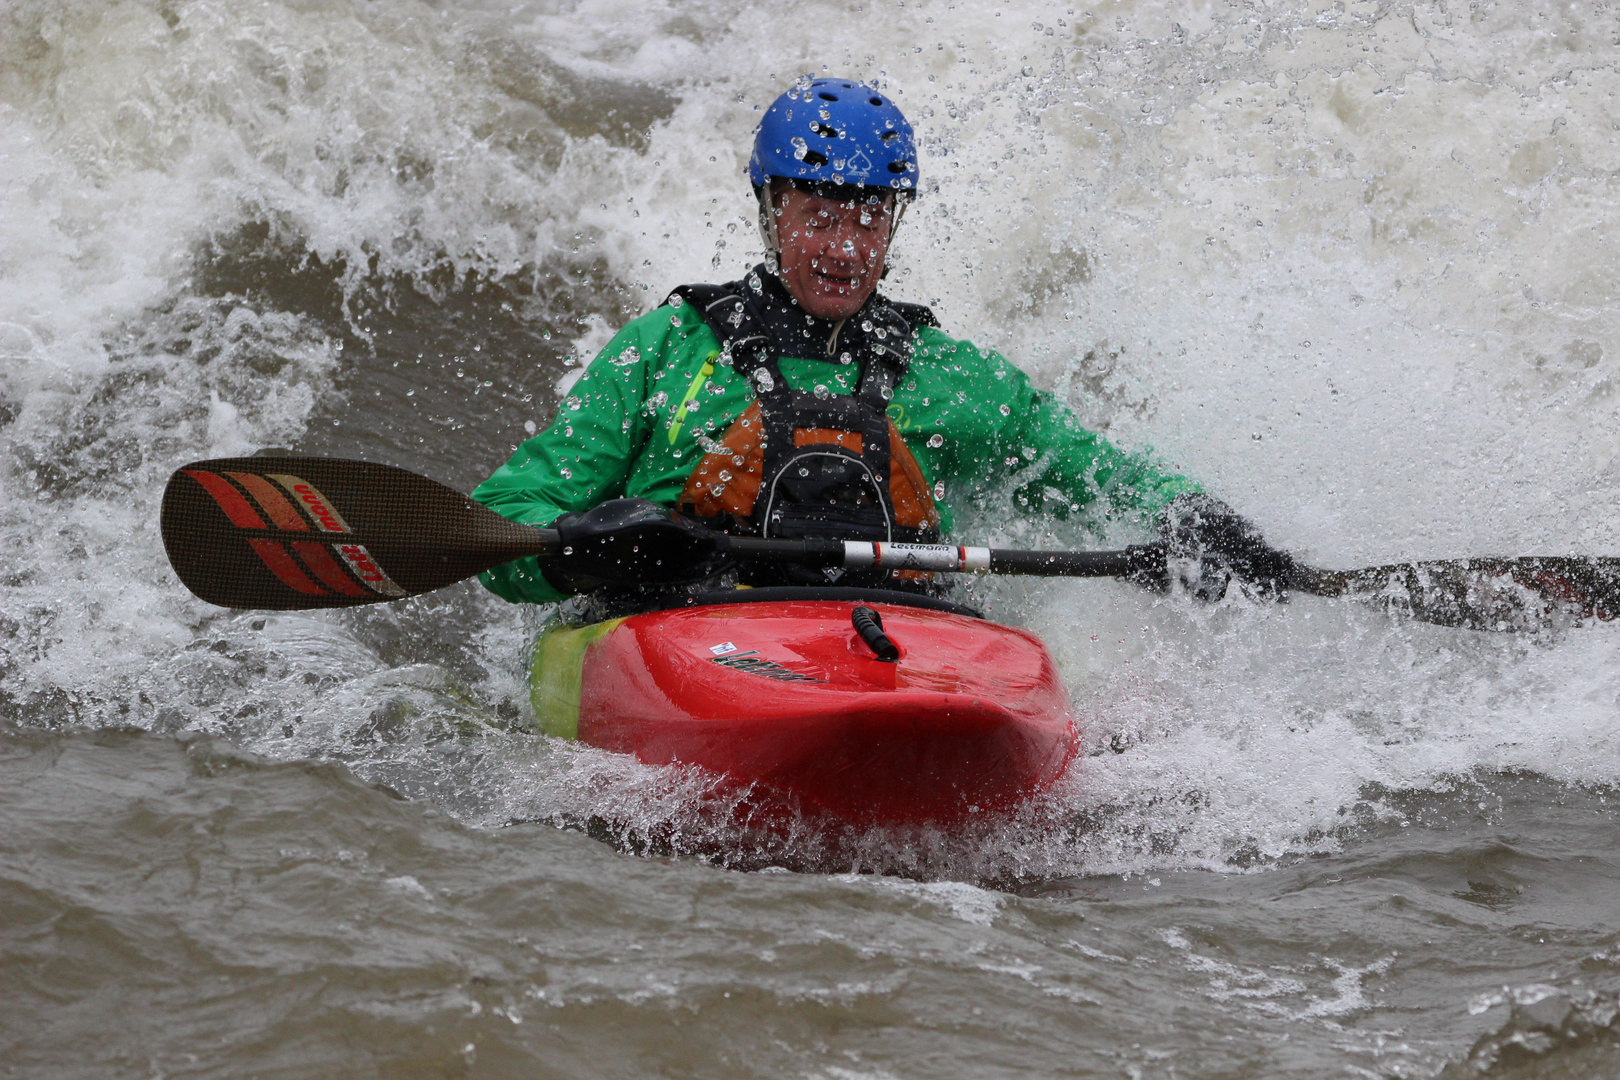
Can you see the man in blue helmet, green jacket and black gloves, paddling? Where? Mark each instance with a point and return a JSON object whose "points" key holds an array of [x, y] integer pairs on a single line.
{"points": [[803, 402]]}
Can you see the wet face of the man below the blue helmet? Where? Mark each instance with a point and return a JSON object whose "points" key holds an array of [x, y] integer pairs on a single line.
{"points": [[832, 250]]}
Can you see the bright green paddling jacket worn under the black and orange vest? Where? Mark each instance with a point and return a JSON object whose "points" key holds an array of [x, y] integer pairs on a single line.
{"points": [[639, 419]]}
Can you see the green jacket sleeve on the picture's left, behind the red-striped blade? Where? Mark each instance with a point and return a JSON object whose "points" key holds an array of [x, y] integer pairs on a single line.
{"points": [[582, 459]]}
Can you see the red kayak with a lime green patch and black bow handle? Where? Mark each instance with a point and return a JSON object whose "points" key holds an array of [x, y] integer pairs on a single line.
{"points": [[778, 691]]}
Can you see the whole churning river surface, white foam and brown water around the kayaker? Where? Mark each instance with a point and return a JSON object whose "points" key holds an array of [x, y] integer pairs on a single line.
{"points": [[1352, 265]]}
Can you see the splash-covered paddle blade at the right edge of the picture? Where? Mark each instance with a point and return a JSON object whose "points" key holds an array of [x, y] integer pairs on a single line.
{"points": [[1530, 593]]}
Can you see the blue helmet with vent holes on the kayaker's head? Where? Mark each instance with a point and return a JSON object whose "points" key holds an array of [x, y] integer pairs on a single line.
{"points": [[835, 132]]}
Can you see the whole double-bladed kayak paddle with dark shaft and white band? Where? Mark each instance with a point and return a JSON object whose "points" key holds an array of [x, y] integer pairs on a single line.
{"points": [[294, 534]]}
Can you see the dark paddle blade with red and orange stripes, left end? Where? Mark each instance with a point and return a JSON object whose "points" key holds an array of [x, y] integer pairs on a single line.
{"points": [[291, 534]]}
